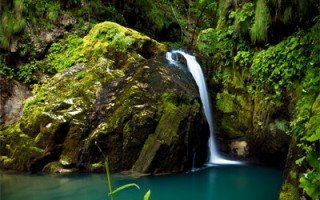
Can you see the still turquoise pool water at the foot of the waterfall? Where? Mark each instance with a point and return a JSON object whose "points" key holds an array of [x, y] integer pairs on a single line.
{"points": [[213, 183]]}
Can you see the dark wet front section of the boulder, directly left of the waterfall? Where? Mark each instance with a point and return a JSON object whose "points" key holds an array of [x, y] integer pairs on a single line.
{"points": [[134, 119]]}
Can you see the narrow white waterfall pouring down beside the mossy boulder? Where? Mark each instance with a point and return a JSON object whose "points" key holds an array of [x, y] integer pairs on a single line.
{"points": [[196, 71]]}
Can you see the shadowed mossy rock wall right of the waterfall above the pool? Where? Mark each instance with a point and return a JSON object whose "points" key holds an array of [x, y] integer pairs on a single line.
{"points": [[243, 117]]}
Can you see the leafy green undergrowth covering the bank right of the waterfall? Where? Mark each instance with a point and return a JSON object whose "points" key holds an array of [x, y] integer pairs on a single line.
{"points": [[281, 74]]}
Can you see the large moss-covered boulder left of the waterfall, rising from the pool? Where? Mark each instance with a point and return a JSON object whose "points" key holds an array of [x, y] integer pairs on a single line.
{"points": [[123, 101]]}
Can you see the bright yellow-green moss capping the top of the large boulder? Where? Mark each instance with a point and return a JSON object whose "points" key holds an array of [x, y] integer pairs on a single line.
{"points": [[107, 38]]}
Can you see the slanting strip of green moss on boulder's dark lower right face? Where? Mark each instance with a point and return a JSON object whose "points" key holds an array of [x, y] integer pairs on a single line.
{"points": [[172, 113]]}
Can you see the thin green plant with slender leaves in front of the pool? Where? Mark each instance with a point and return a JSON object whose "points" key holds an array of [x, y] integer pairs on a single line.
{"points": [[113, 192]]}
